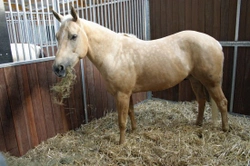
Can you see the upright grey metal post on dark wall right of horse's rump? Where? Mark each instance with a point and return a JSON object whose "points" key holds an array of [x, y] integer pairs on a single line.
{"points": [[235, 55]]}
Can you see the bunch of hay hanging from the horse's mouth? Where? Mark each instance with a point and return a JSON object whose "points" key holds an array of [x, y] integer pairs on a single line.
{"points": [[62, 89]]}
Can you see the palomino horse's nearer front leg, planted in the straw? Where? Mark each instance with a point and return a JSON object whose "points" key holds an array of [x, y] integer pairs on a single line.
{"points": [[122, 104]]}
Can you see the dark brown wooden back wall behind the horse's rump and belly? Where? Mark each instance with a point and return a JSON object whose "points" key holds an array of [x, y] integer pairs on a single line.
{"points": [[216, 18]]}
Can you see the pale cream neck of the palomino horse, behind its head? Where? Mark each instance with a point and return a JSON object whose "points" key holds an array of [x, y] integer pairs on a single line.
{"points": [[102, 42]]}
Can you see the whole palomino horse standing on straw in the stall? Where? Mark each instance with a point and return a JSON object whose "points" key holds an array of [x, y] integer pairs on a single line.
{"points": [[130, 65]]}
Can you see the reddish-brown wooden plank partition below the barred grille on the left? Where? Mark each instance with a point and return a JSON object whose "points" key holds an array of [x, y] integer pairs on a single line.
{"points": [[28, 114]]}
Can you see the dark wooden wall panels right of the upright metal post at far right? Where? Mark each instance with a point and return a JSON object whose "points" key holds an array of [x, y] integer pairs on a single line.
{"points": [[242, 84]]}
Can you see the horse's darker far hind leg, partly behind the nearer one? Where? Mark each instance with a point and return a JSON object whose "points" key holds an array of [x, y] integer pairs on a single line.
{"points": [[198, 89]]}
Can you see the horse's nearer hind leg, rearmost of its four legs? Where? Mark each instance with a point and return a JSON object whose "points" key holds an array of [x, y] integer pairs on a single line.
{"points": [[221, 101]]}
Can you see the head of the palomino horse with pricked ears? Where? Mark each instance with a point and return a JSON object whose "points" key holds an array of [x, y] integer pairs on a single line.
{"points": [[72, 42]]}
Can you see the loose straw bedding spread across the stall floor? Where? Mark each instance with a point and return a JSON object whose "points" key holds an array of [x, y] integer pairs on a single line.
{"points": [[166, 135]]}
